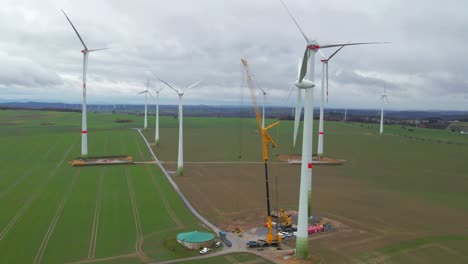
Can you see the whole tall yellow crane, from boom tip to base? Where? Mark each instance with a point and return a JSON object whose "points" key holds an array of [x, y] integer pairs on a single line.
{"points": [[266, 140]]}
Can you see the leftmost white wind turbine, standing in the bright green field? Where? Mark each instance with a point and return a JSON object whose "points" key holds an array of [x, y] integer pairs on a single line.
{"points": [[84, 128]]}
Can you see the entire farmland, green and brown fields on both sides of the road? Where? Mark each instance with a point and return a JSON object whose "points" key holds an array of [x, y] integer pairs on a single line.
{"points": [[399, 198]]}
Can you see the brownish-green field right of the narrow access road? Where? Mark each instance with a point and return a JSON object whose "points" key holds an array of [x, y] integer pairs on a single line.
{"points": [[399, 196]]}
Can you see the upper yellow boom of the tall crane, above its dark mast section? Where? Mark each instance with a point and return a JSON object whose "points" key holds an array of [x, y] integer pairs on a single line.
{"points": [[266, 138]]}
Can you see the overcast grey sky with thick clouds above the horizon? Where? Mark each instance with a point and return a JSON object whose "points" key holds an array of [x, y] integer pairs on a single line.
{"points": [[183, 41]]}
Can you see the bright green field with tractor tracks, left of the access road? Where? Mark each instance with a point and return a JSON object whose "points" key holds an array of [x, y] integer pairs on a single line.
{"points": [[53, 213]]}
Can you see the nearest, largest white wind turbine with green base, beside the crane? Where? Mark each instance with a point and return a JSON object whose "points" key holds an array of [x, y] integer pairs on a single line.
{"points": [[312, 46]]}
